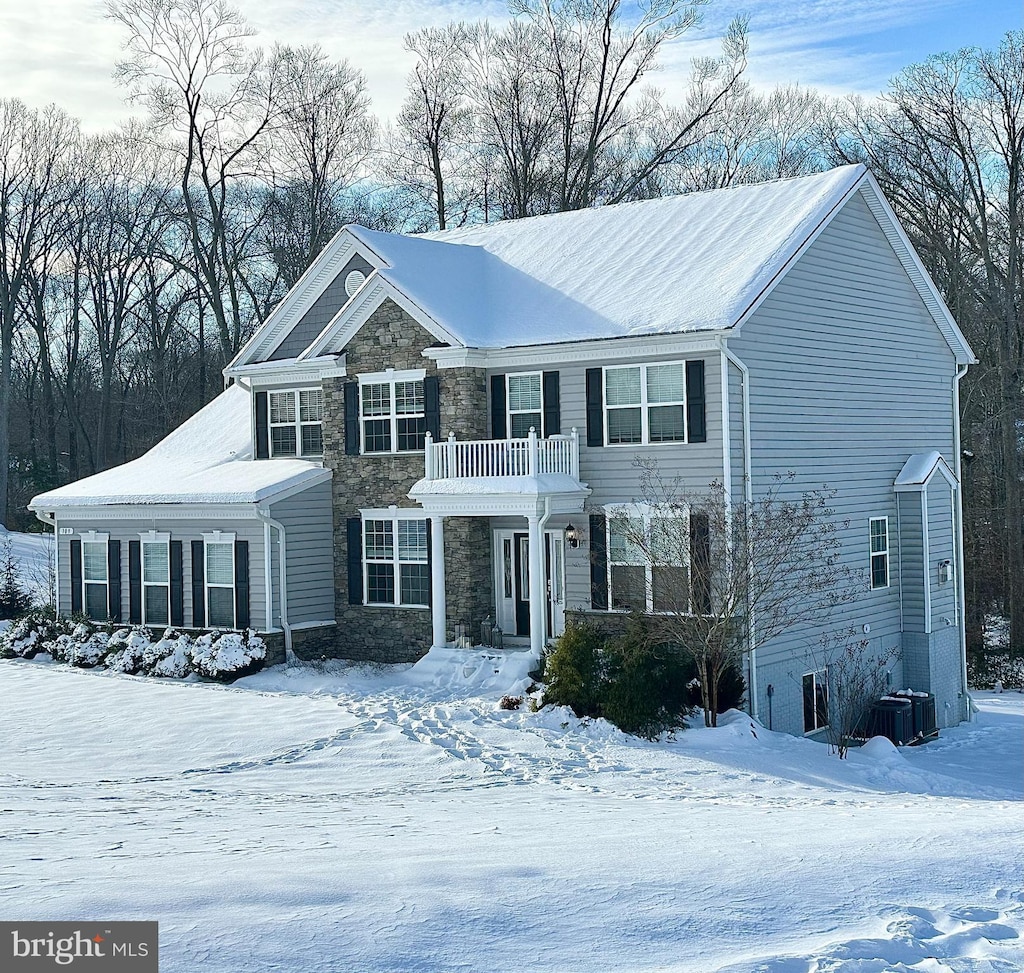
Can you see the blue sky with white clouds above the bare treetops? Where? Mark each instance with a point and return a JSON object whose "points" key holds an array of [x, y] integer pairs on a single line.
{"points": [[64, 51]]}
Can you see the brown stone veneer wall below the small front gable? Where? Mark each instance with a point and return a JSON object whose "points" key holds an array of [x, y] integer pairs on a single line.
{"points": [[391, 339]]}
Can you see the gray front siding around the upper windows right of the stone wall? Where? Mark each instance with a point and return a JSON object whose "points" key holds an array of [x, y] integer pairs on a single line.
{"points": [[611, 472]]}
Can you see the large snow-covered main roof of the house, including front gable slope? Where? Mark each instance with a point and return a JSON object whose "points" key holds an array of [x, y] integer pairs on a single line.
{"points": [[675, 265]]}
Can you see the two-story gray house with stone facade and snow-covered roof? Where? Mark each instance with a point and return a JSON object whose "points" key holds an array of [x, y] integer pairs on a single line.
{"points": [[432, 431]]}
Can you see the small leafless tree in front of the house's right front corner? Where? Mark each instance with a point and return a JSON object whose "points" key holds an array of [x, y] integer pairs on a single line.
{"points": [[719, 573]]}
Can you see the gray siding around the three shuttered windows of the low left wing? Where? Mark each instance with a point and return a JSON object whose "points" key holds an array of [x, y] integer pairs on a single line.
{"points": [[245, 529]]}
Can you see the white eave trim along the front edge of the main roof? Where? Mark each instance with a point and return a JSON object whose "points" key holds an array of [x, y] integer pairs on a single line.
{"points": [[596, 350]]}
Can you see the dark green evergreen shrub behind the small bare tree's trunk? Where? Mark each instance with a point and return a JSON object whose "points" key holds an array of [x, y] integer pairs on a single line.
{"points": [[646, 691]]}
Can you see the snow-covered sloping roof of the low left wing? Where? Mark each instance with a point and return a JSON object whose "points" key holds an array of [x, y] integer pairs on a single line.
{"points": [[208, 459]]}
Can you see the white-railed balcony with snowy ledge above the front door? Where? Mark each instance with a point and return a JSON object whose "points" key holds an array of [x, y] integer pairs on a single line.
{"points": [[501, 477]]}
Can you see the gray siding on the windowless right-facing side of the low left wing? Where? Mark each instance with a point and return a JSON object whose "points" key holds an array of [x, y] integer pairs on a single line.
{"points": [[310, 546]]}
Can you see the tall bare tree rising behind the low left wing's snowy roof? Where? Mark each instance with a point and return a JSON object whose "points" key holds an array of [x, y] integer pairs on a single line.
{"points": [[190, 64]]}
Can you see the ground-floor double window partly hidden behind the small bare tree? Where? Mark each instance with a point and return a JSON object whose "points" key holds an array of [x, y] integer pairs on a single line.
{"points": [[655, 583]]}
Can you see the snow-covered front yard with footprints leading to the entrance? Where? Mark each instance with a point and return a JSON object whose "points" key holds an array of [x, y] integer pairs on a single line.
{"points": [[352, 820]]}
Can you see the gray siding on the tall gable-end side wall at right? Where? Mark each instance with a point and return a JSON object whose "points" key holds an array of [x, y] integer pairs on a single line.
{"points": [[849, 377]]}
